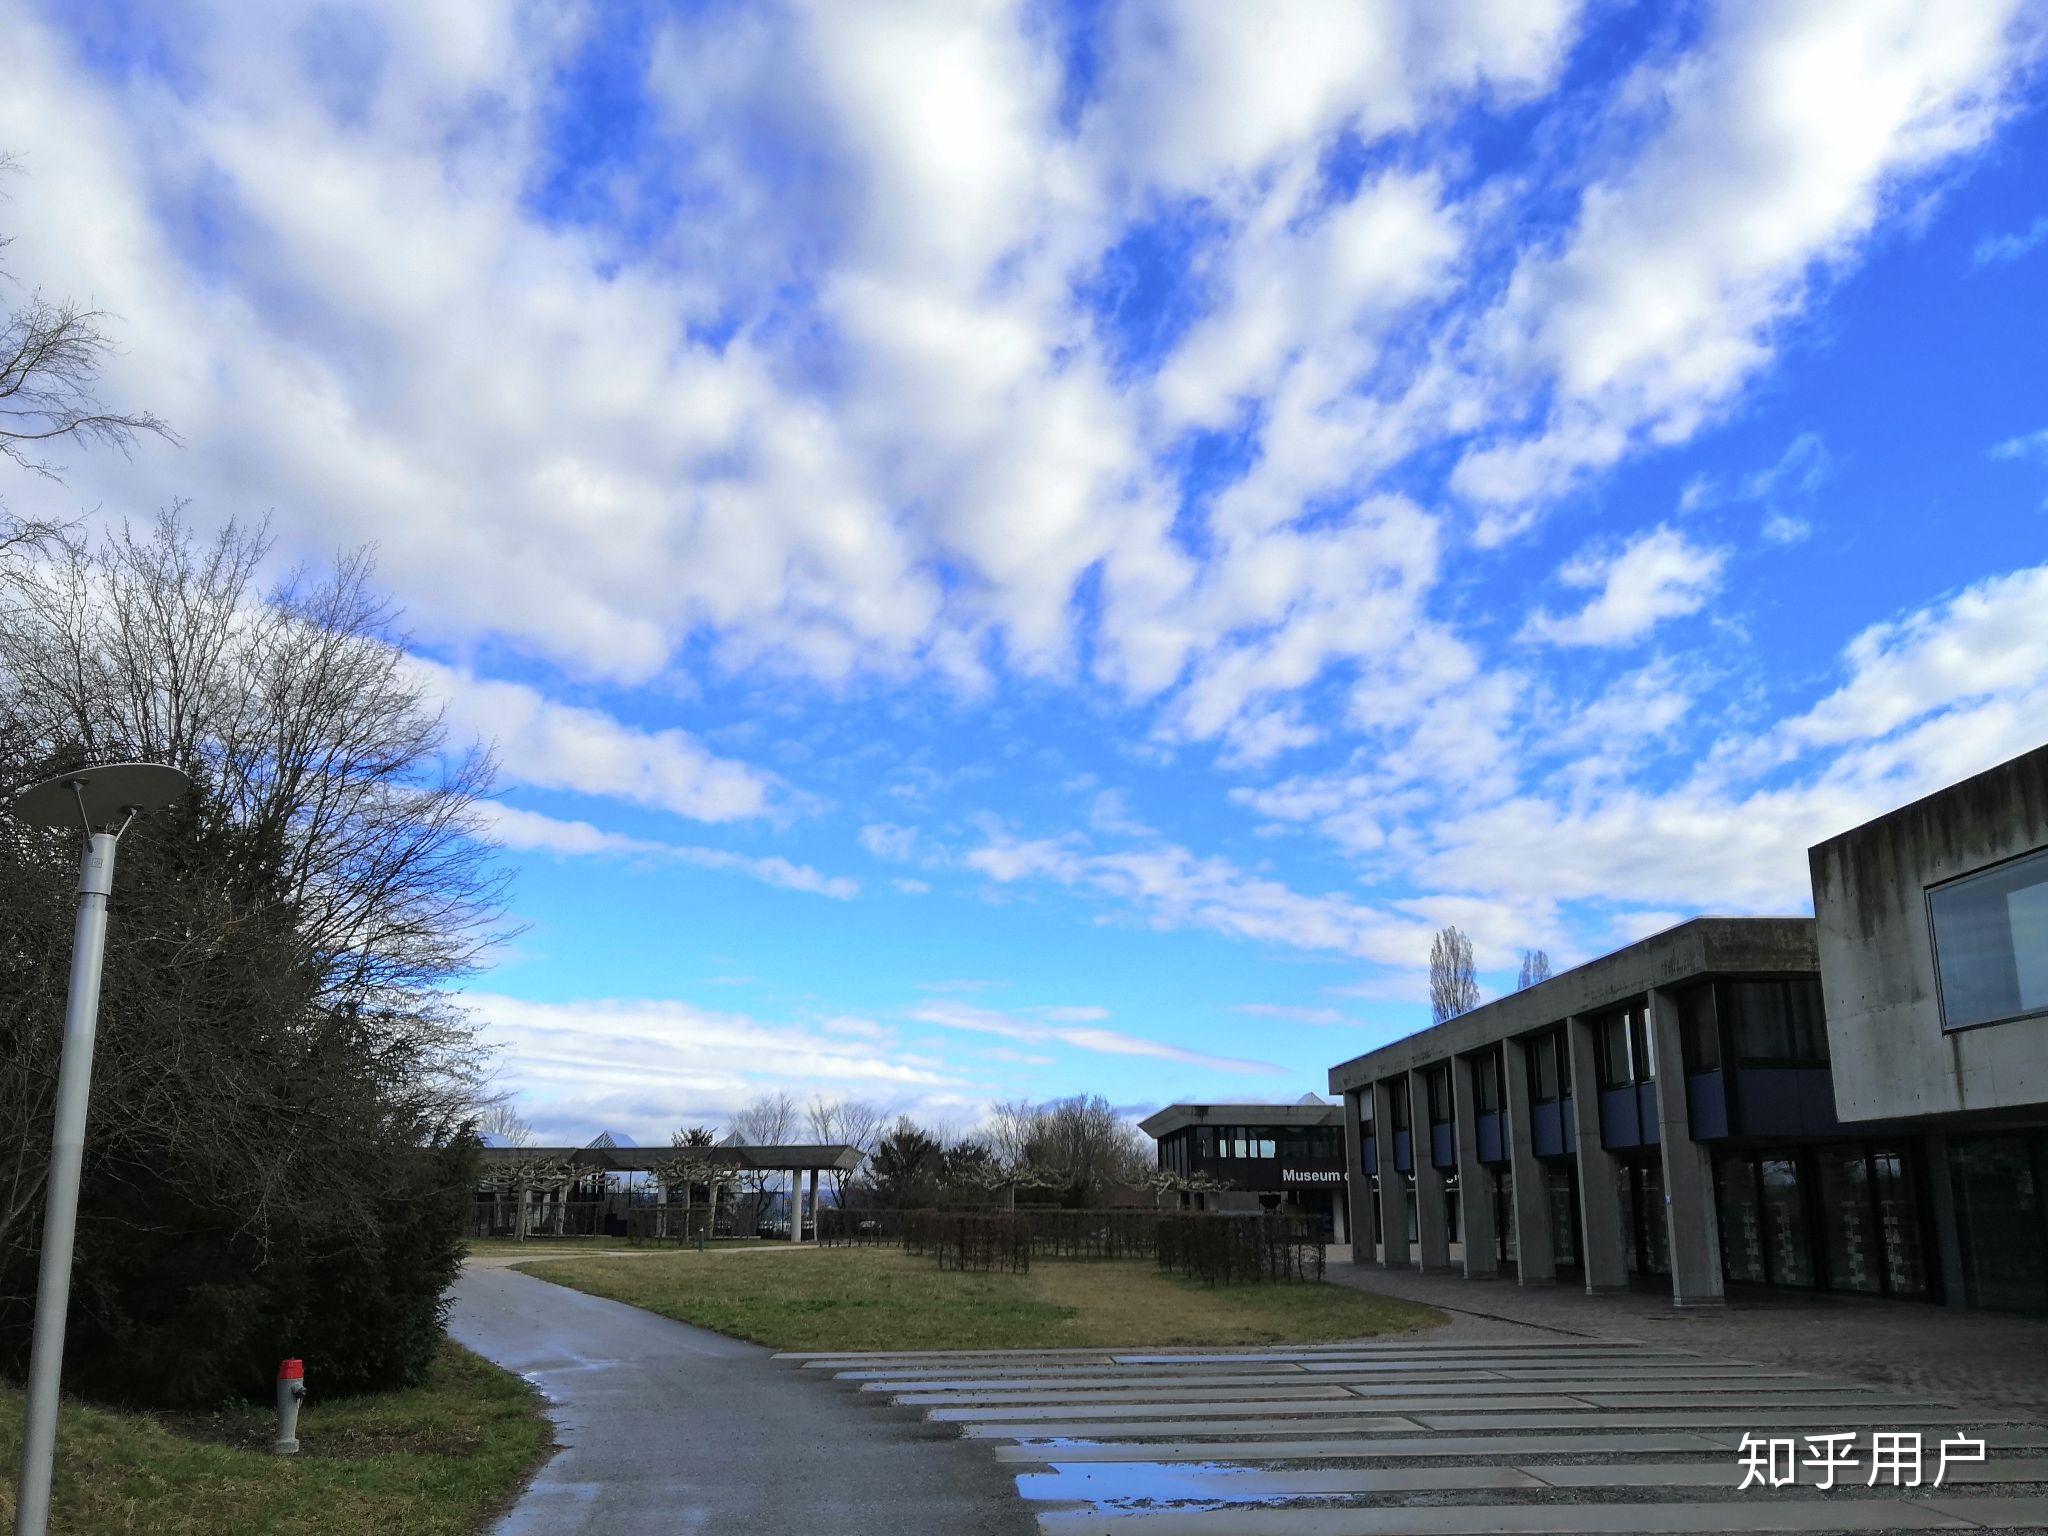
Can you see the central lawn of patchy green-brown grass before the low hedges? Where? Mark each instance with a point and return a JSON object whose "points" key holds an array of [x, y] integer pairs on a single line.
{"points": [[880, 1299]]}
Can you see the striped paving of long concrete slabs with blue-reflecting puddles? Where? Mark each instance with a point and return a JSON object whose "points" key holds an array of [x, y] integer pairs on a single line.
{"points": [[1435, 1435]]}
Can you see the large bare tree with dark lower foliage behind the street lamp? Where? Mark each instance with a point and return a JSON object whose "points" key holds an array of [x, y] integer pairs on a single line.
{"points": [[278, 1035]]}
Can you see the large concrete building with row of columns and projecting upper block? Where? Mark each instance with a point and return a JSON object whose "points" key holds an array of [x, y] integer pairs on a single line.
{"points": [[1846, 1103]]}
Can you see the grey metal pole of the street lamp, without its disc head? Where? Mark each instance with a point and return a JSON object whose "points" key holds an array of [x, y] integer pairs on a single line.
{"points": [[60, 1197]]}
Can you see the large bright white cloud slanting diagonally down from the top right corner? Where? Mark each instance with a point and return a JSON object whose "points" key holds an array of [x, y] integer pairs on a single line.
{"points": [[1783, 138]]}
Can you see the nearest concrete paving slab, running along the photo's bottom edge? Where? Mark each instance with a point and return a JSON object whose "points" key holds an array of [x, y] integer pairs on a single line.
{"points": [[1531, 1521]]}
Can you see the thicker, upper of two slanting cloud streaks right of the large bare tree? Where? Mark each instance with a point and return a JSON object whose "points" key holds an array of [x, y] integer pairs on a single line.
{"points": [[568, 746]]}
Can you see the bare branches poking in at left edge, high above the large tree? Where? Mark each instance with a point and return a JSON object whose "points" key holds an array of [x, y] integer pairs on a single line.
{"points": [[52, 355]]}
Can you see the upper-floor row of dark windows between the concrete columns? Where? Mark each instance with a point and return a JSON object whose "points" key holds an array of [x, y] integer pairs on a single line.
{"points": [[1760, 1023]]}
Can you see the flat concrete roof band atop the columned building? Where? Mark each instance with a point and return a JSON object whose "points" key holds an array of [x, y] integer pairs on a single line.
{"points": [[1676, 955]]}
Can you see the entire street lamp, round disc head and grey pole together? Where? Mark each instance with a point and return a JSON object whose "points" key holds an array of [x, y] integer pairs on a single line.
{"points": [[101, 802]]}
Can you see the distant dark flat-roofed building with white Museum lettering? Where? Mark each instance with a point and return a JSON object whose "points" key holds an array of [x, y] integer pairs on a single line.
{"points": [[1285, 1158]]}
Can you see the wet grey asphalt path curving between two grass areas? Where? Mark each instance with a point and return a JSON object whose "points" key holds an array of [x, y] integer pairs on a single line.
{"points": [[669, 1431]]}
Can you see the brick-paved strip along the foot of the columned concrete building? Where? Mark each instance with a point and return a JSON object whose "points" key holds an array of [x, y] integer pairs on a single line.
{"points": [[1981, 1359]]}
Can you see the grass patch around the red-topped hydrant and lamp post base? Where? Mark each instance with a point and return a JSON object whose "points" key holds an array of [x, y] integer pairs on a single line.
{"points": [[433, 1461]]}
